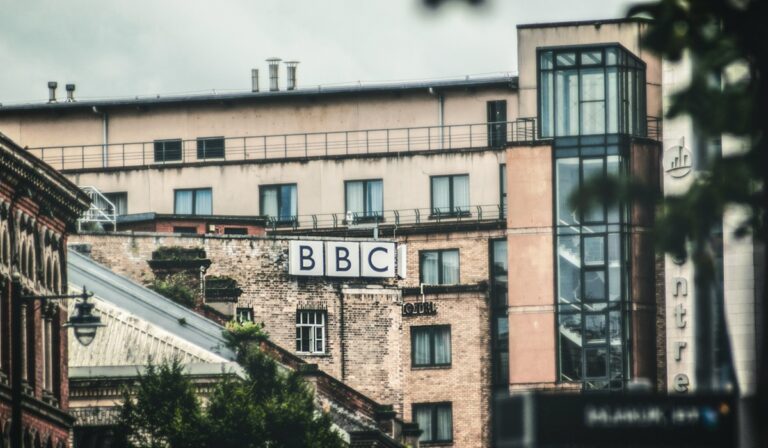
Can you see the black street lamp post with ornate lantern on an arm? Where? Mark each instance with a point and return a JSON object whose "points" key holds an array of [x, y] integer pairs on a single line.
{"points": [[83, 322]]}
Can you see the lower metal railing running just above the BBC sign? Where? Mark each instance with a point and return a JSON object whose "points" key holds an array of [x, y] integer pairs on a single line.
{"points": [[389, 218]]}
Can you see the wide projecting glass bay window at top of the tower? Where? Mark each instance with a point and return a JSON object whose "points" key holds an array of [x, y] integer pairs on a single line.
{"points": [[591, 91]]}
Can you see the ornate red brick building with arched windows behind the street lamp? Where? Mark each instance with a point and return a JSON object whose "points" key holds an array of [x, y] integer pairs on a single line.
{"points": [[38, 208]]}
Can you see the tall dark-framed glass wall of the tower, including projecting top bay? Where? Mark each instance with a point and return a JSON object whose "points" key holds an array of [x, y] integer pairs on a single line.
{"points": [[591, 101]]}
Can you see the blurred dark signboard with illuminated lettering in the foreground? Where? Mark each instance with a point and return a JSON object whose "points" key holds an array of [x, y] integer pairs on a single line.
{"points": [[615, 420]]}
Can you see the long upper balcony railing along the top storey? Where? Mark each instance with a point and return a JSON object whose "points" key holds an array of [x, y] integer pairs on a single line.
{"points": [[297, 145]]}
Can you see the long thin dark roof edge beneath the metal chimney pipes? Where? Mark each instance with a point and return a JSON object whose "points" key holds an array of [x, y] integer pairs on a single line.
{"points": [[508, 81]]}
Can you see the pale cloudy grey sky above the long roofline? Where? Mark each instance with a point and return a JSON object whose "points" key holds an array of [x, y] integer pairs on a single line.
{"points": [[147, 47]]}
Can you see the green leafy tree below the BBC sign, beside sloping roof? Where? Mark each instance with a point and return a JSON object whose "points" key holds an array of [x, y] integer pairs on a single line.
{"points": [[270, 407]]}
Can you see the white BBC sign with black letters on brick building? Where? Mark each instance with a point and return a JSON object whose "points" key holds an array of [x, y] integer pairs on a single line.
{"points": [[346, 259]]}
